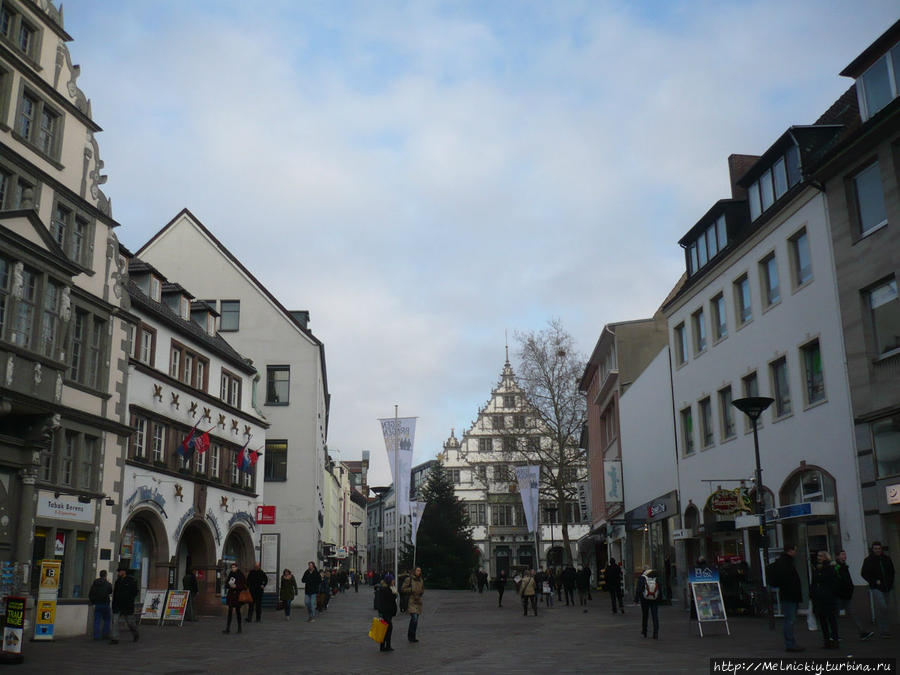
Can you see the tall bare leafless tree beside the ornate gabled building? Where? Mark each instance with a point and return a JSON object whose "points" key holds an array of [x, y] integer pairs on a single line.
{"points": [[549, 371]]}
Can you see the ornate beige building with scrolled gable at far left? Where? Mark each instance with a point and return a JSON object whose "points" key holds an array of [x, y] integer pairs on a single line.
{"points": [[63, 313]]}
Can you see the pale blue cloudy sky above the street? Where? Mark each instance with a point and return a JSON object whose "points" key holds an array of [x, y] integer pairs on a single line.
{"points": [[428, 178]]}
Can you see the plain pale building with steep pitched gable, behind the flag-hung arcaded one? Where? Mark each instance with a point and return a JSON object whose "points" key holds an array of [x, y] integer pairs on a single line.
{"points": [[292, 396]]}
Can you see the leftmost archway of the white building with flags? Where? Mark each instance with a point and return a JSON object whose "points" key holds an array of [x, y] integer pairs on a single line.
{"points": [[144, 547]]}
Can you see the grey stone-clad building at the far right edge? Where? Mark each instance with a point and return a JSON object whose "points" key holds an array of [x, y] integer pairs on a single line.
{"points": [[862, 188]]}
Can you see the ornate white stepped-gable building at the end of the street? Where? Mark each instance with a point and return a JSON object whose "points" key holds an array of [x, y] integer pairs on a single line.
{"points": [[482, 468]]}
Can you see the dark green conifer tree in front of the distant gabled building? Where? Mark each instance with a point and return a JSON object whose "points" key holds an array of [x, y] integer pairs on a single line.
{"points": [[446, 552]]}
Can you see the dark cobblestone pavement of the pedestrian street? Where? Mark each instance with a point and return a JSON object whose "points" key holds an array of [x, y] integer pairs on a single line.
{"points": [[459, 632]]}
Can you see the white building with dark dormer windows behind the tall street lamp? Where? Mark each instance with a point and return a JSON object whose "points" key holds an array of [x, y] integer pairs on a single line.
{"points": [[758, 316]]}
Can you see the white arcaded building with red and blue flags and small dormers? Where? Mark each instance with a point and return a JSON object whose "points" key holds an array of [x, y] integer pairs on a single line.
{"points": [[185, 380]]}
